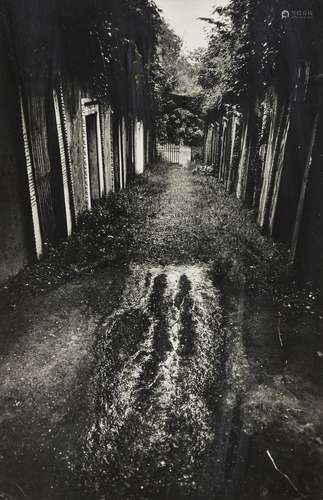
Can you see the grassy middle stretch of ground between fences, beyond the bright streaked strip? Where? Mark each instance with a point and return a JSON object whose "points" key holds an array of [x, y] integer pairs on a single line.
{"points": [[114, 231]]}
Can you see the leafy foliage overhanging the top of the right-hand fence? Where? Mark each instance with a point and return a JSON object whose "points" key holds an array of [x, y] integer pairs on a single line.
{"points": [[251, 46]]}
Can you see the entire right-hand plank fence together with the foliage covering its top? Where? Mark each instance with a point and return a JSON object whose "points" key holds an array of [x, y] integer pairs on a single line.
{"points": [[262, 66]]}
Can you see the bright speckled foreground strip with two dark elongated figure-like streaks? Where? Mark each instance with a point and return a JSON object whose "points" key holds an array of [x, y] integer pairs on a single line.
{"points": [[158, 380]]}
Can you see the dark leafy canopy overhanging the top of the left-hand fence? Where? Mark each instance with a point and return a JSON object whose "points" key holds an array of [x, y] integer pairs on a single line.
{"points": [[94, 42]]}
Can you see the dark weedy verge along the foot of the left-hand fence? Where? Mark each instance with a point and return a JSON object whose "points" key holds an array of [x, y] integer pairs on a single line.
{"points": [[103, 236]]}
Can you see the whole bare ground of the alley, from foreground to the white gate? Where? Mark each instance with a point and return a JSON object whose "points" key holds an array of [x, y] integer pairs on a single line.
{"points": [[174, 376]]}
